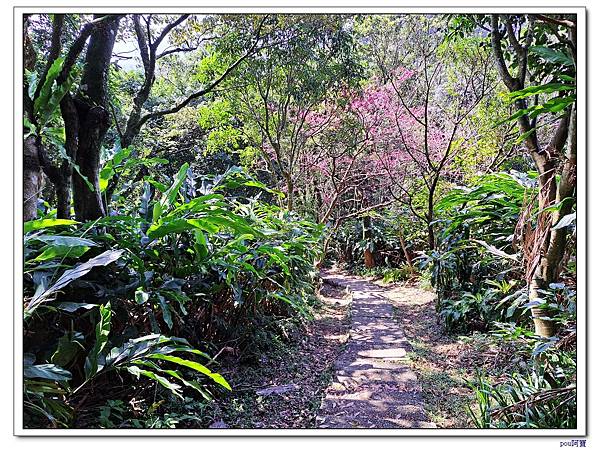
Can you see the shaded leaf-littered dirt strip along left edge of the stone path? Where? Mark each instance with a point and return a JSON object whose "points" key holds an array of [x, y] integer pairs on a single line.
{"points": [[285, 387]]}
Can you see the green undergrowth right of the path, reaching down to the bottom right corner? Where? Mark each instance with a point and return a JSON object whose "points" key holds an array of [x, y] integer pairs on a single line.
{"points": [[479, 280]]}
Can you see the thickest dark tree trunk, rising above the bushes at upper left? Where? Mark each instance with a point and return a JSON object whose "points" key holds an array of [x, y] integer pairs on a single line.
{"points": [[93, 122]]}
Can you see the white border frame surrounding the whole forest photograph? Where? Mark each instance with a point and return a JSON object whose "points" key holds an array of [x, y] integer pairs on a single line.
{"points": [[582, 401]]}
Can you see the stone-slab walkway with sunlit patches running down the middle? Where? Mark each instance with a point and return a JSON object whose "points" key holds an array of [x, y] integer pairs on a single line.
{"points": [[373, 386]]}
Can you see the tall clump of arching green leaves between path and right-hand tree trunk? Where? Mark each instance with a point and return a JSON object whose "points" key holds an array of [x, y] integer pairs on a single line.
{"points": [[475, 260]]}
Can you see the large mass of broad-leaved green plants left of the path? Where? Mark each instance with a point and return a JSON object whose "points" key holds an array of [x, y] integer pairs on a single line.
{"points": [[149, 293]]}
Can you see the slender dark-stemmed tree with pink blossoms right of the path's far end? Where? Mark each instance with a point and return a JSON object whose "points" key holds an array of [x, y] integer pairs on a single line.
{"points": [[418, 107]]}
